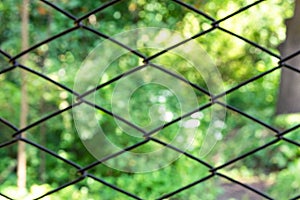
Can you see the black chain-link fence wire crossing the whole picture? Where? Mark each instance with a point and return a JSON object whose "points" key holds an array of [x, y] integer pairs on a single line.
{"points": [[148, 136]]}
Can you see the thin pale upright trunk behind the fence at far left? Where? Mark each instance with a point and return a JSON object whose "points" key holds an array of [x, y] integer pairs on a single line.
{"points": [[21, 166]]}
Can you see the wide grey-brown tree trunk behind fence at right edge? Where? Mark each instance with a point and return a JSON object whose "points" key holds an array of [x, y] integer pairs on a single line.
{"points": [[289, 93]]}
